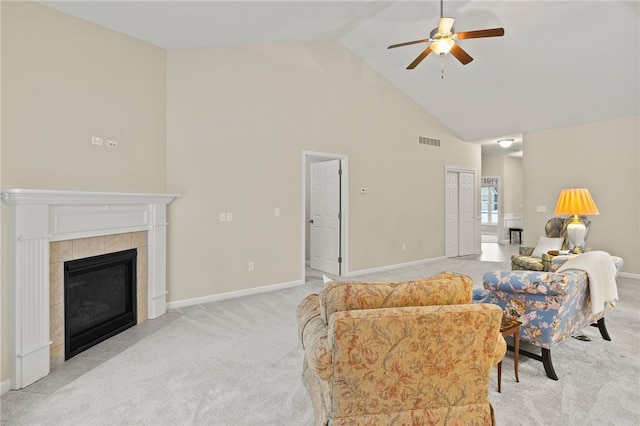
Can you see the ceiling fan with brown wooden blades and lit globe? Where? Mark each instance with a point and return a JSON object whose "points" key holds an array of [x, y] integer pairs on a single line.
{"points": [[443, 40]]}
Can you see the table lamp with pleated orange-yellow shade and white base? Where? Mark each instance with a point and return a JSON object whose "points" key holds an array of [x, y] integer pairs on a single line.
{"points": [[576, 202]]}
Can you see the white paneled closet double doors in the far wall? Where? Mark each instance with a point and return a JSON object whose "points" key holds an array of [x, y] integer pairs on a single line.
{"points": [[459, 211]]}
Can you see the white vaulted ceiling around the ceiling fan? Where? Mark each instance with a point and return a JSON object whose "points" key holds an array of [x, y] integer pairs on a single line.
{"points": [[559, 63]]}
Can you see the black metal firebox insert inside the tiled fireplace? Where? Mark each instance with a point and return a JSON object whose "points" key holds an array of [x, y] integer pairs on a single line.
{"points": [[99, 299]]}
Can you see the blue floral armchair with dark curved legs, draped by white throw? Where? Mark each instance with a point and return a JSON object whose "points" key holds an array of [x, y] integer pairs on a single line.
{"points": [[551, 306]]}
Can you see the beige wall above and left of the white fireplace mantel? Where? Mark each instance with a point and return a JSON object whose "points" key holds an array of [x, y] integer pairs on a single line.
{"points": [[63, 81]]}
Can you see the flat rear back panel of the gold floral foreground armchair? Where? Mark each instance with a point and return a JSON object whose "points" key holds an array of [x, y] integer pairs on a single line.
{"points": [[412, 358]]}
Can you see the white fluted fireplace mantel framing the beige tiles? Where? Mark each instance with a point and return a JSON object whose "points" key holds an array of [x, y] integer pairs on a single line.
{"points": [[40, 217]]}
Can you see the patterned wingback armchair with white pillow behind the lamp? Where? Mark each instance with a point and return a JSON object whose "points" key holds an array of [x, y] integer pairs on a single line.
{"points": [[536, 258]]}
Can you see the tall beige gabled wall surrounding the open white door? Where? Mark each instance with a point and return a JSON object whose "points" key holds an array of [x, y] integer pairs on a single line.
{"points": [[238, 122]]}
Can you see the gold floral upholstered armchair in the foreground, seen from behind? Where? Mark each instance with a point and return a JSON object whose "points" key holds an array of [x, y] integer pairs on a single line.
{"points": [[400, 353]]}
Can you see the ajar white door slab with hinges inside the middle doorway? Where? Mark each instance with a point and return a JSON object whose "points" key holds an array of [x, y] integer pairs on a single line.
{"points": [[324, 209]]}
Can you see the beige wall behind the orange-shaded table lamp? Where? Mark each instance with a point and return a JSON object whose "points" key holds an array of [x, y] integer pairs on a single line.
{"points": [[603, 157]]}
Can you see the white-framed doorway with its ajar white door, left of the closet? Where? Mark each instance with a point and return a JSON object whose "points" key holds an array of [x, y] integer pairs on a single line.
{"points": [[325, 198]]}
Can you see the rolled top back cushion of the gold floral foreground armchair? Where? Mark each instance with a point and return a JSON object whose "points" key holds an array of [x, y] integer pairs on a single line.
{"points": [[446, 288]]}
